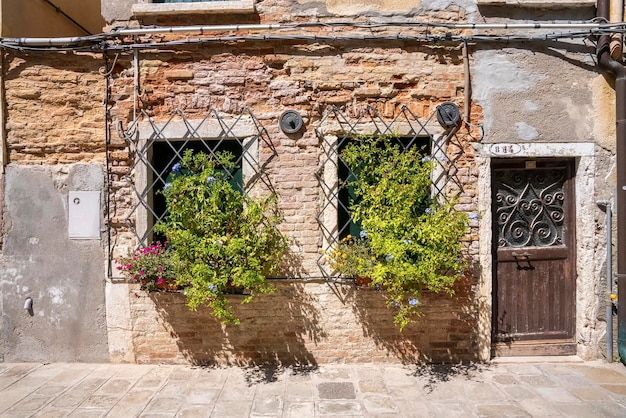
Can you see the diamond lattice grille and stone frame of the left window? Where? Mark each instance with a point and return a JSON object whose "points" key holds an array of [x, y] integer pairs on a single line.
{"points": [[158, 145]]}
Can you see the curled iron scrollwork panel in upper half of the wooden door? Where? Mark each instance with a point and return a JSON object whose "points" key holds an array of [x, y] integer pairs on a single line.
{"points": [[530, 207]]}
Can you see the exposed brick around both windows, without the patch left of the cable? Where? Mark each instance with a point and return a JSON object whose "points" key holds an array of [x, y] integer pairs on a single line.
{"points": [[307, 320]]}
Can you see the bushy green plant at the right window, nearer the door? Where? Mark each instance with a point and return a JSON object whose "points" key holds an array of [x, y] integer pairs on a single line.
{"points": [[412, 241]]}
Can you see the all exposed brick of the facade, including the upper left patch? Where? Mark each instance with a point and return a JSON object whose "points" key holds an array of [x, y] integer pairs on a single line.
{"points": [[55, 109]]}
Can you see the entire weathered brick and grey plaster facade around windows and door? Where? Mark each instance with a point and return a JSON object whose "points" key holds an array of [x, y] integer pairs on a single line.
{"points": [[56, 140]]}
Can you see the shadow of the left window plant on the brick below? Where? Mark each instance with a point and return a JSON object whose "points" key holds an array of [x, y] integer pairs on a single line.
{"points": [[274, 329]]}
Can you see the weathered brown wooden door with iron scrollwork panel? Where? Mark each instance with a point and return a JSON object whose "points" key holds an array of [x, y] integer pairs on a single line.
{"points": [[534, 311]]}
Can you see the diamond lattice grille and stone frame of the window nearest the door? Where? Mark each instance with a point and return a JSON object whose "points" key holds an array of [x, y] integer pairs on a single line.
{"points": [[336, 128]]}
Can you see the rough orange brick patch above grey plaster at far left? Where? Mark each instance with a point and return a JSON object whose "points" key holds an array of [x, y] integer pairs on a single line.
{"points": [[54, 108]]}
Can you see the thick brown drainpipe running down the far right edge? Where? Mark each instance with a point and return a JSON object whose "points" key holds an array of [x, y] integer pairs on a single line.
{"points": [[615, 68]]}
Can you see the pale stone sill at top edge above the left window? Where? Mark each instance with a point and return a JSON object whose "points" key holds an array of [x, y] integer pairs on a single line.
{"points": [[212, 7]]}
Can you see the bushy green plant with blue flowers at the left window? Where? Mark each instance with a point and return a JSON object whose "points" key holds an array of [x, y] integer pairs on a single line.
{"points": [[220, 238]]}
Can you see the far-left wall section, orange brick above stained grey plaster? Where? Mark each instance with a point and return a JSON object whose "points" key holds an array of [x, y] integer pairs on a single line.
{"points": [[54, 146]]}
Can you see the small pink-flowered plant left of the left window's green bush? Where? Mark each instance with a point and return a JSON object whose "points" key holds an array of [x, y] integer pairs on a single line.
{"points": [[151, 266]]}
